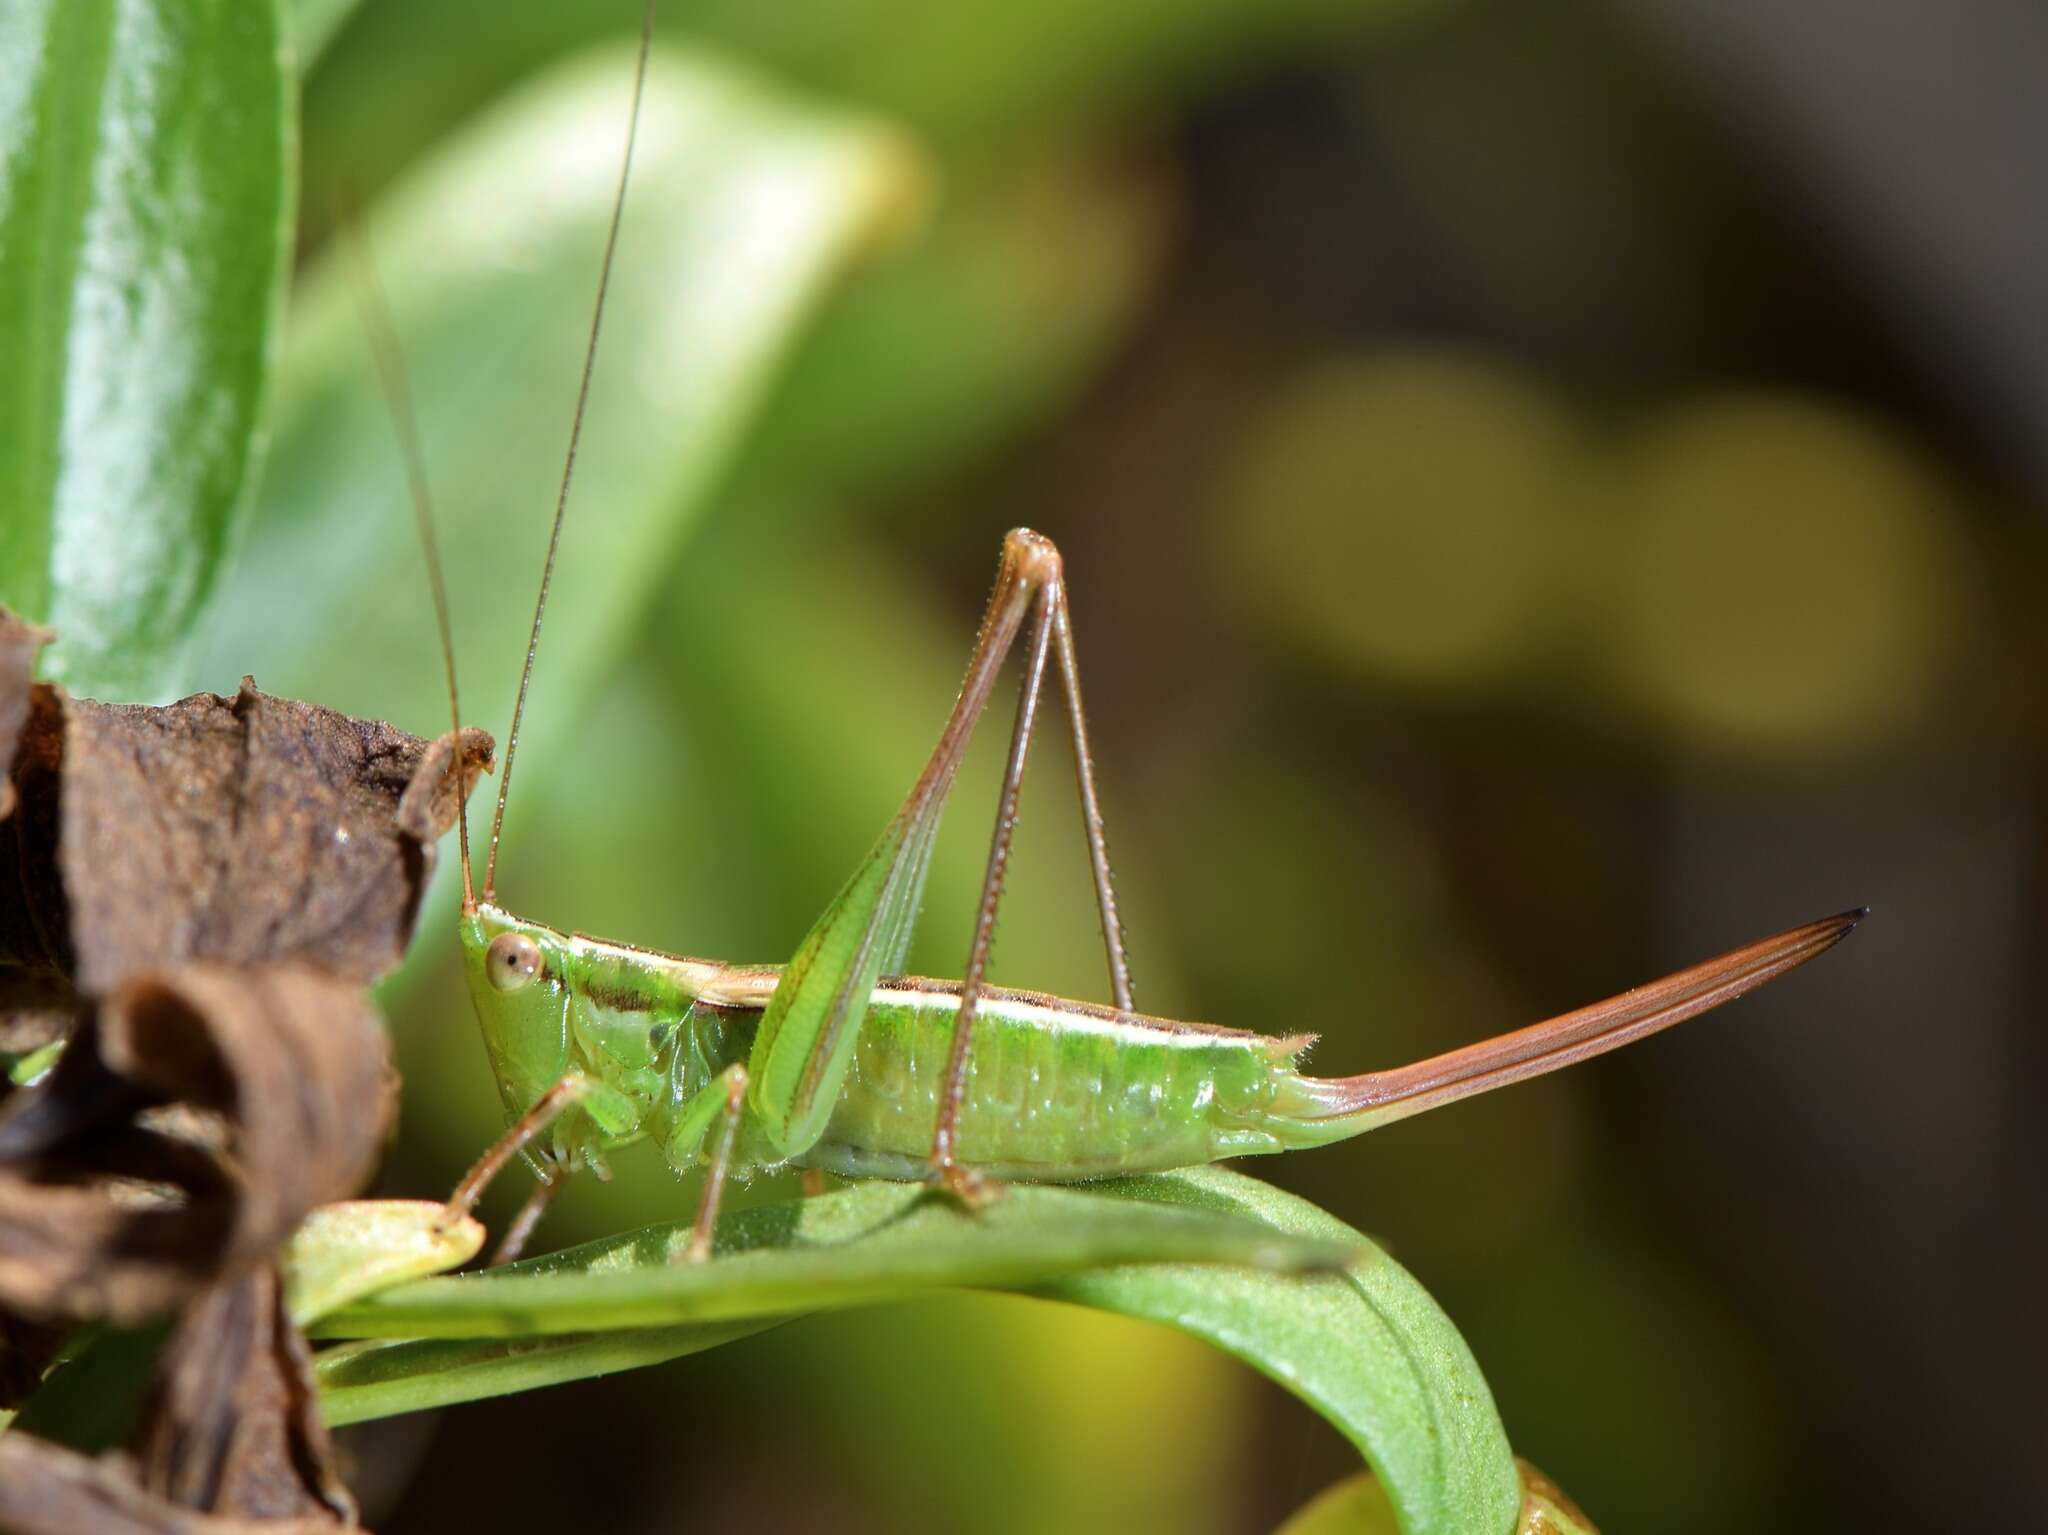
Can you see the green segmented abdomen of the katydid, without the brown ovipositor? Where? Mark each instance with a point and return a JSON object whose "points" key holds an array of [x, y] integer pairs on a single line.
{"points": [[1054, 1094]]}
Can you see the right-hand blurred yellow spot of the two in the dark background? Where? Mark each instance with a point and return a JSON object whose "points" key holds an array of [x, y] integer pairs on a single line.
{"points": [[1787, 578]]}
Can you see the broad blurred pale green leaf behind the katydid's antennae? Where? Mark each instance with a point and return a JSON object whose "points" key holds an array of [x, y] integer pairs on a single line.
{"points": [[746, 206]]}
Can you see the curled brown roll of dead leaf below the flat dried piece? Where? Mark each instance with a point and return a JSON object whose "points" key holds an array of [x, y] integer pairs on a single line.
{"points": [[284, 1088]]}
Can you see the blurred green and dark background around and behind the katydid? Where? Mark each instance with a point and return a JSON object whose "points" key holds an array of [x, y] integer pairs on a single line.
{"points": [[1549, 494]]}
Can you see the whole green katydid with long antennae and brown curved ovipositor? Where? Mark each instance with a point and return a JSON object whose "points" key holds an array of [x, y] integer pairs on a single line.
{"points": [[837, 1063]]}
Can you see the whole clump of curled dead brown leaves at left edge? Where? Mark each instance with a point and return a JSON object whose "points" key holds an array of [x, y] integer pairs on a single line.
{"points": [[196, 895]]}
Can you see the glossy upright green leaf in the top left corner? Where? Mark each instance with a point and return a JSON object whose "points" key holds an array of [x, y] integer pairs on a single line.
{"points": [[146, 210]]}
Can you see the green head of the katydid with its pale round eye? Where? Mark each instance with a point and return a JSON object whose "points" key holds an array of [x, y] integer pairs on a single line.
{"points": [[517, 983]]}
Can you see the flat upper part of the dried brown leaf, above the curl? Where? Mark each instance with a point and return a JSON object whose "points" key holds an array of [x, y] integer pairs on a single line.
{"points": [[241, 830]]}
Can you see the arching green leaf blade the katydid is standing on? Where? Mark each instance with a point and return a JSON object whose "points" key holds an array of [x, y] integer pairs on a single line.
{"points": [[1263, 1276]]}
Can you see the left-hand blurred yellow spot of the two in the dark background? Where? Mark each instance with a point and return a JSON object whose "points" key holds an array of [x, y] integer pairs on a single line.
{"points": [[1394, 515]]}
